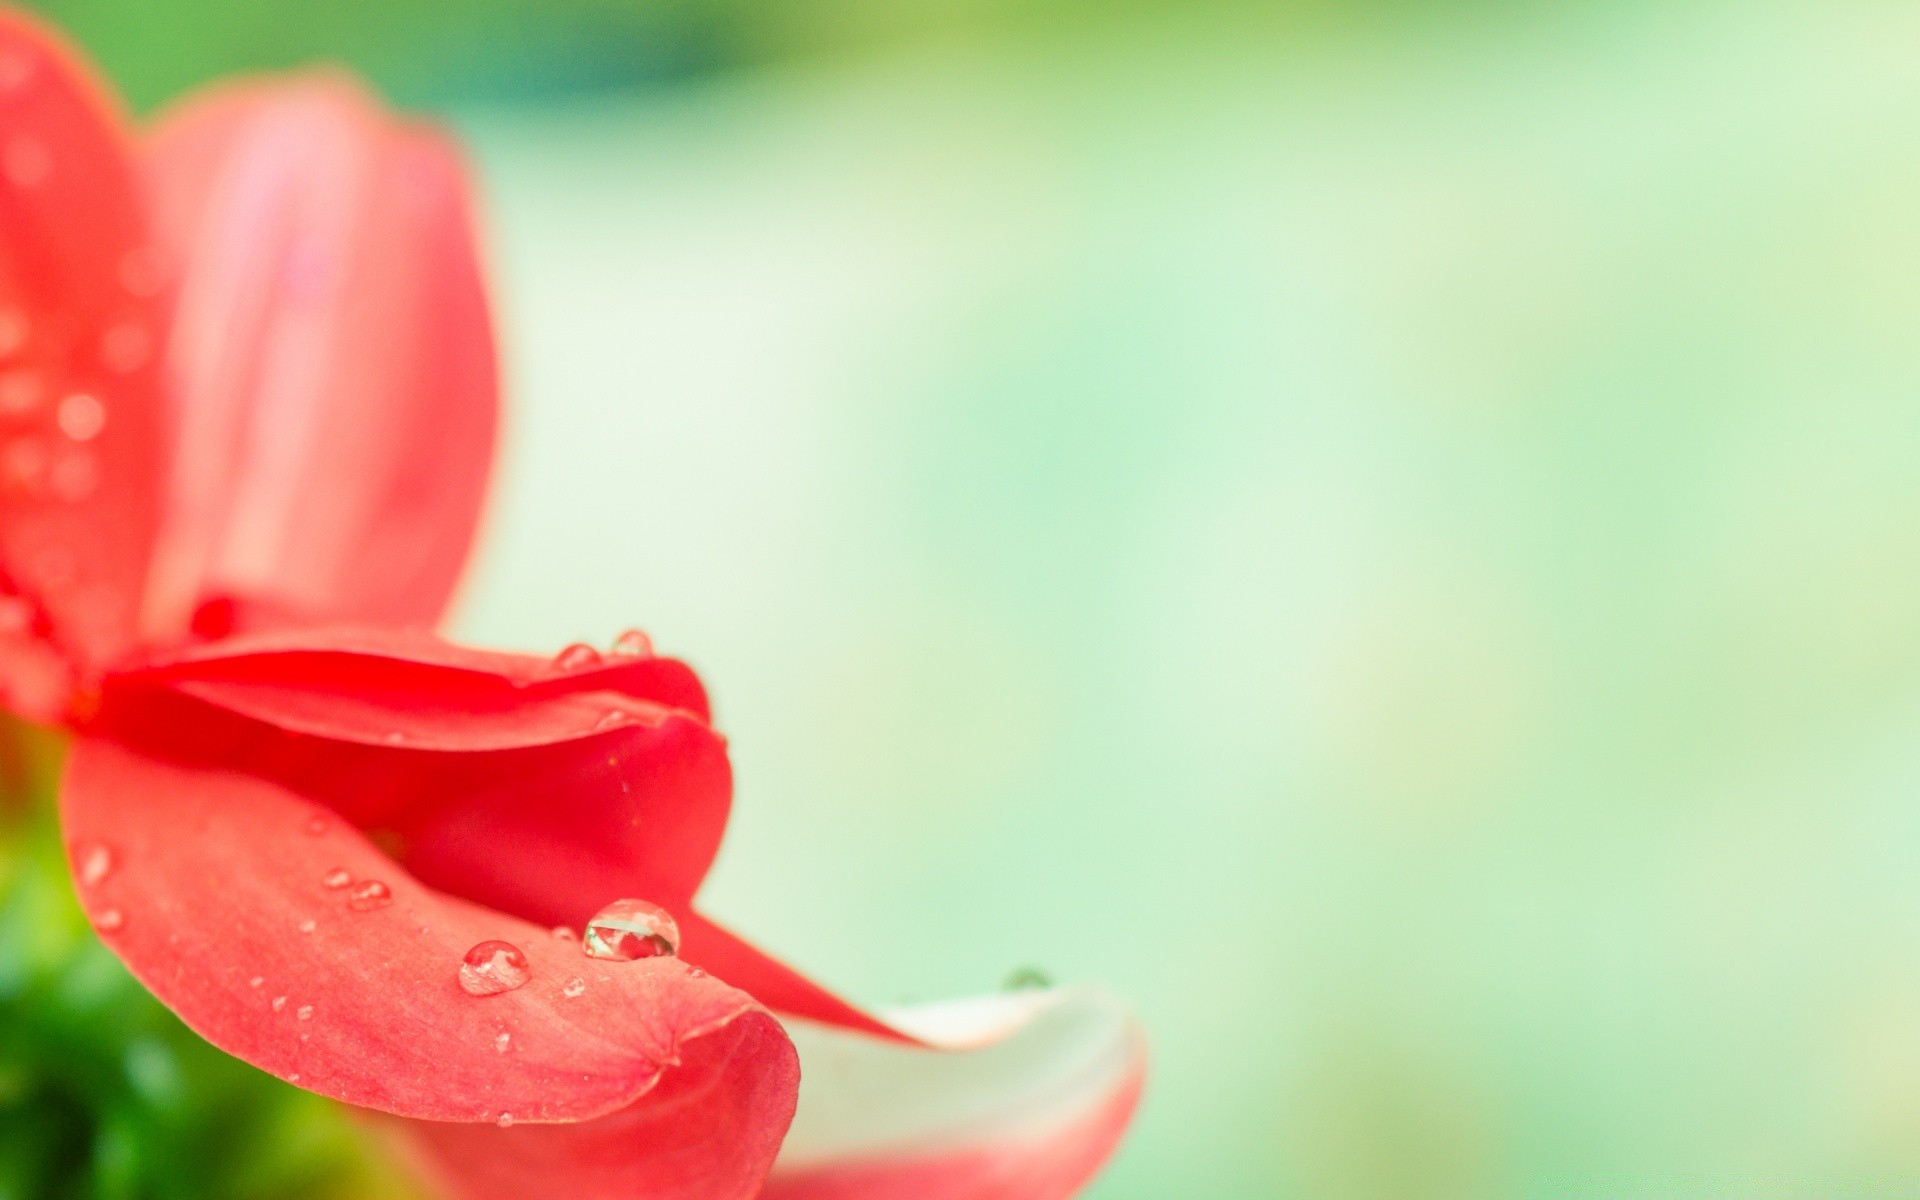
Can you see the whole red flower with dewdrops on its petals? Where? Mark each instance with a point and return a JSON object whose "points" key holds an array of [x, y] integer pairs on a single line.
{"points": [[247, 387]]}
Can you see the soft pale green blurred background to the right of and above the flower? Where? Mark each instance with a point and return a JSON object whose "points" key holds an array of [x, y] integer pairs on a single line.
{"points": [[1385, 533]]}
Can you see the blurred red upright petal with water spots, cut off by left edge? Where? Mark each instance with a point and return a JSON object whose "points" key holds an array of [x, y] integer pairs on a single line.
{"points": [[80, 395]]}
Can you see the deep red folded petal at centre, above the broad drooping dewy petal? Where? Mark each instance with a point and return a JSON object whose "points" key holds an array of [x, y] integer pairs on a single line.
{"points": [[598, 779]]}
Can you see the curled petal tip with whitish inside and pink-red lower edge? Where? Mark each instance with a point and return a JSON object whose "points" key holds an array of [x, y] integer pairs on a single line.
{"points": [[1028, 1099]]}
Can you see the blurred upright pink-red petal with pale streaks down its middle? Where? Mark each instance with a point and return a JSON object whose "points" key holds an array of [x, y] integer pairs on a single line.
{"points": [[331, 358]]}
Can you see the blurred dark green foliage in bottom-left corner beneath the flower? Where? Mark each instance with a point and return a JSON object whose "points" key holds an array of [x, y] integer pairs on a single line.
{"points": [[105, 1095]]}
